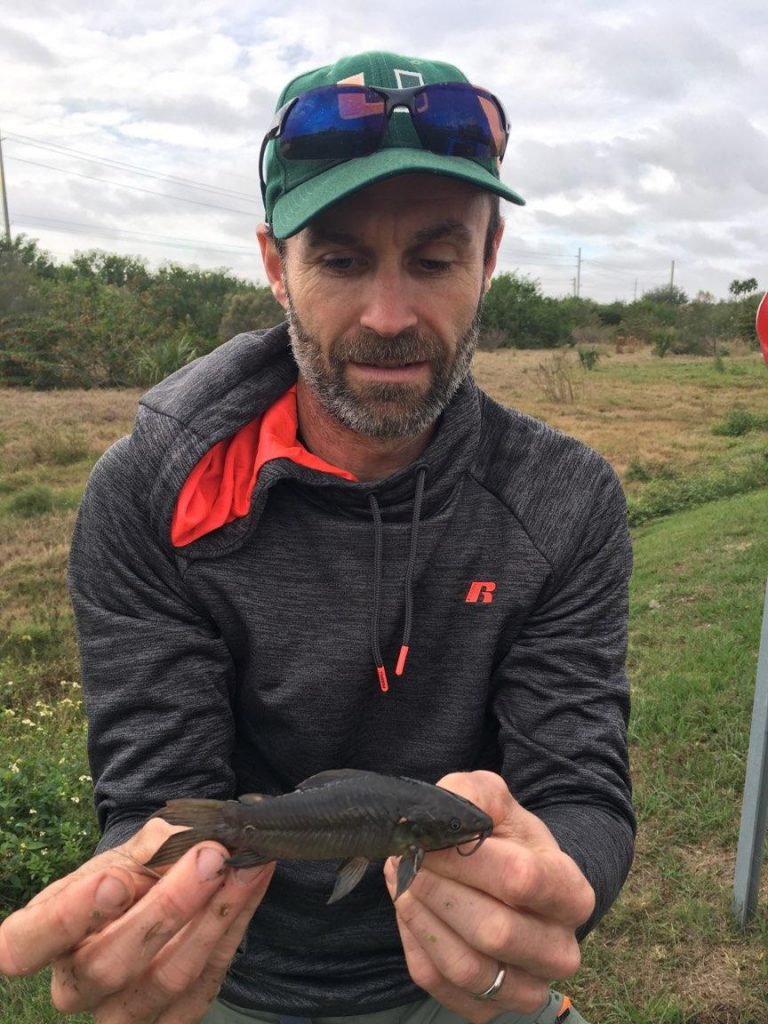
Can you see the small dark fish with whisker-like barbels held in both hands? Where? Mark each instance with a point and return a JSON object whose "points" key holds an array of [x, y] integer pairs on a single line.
{"points": [[346, 815]]}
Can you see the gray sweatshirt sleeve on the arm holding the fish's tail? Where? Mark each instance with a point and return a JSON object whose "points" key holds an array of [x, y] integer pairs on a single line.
{"points": [[157, 676]]}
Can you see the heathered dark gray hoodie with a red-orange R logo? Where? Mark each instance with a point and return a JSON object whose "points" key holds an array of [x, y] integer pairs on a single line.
{"points": [[245, 662]]}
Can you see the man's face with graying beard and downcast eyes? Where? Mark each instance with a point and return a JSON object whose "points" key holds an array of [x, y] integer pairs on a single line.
{"points": [[383, 294]]}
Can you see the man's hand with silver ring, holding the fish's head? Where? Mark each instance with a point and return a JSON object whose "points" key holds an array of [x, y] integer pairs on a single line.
{"points": [[516, 904]]}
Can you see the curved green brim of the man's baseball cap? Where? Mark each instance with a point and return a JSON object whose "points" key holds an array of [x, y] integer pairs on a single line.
{"points": [[302, 204]]}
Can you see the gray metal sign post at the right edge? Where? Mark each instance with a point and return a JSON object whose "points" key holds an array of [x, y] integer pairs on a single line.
{"points": [[755, 805]]}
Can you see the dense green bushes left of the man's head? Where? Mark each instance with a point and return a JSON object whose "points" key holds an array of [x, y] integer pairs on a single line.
{"points": [[106, 321]]}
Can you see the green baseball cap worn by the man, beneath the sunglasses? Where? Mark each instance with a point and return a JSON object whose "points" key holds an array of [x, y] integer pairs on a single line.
{"points": [[298, 190]]}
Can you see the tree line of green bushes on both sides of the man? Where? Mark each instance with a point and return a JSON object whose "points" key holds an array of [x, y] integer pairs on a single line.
{"points": [[104, 320]]}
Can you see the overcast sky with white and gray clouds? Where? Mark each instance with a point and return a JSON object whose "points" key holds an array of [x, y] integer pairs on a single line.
{"points": [[639, 131]]}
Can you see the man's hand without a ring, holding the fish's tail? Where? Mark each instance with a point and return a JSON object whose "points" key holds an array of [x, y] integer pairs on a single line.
{"points": [[131, 948]]}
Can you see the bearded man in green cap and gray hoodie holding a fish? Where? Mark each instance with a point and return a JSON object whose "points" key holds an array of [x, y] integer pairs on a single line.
{"points": [[331, 550]]}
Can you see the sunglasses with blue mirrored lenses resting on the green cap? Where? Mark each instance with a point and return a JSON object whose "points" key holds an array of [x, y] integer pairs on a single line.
{"points": [[342, 122]]}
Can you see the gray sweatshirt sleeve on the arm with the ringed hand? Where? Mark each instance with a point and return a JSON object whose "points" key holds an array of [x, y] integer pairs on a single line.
{"points": [[563, 697]]}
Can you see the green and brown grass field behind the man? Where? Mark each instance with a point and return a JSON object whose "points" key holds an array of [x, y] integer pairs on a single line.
{"points": [[668, 953]]}
